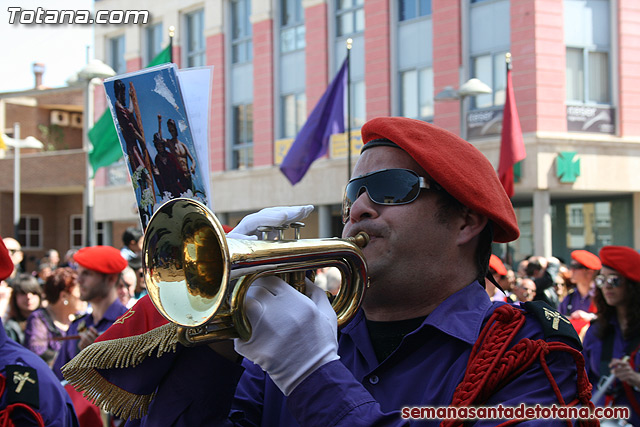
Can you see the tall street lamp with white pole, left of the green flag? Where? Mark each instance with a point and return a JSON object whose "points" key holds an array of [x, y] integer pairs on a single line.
{"points": [[95, 69]]}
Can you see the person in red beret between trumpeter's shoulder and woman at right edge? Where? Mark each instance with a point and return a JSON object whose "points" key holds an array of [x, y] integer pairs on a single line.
{"points": [[578, 304]]}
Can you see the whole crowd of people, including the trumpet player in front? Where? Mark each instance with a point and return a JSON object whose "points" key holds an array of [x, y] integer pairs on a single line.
{"points": [[443, 323]]}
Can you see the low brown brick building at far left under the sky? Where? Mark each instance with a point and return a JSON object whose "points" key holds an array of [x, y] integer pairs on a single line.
{"points": [[52, 179]]}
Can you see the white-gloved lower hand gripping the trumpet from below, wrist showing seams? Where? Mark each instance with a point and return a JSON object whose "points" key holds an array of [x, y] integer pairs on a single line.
{"points": [[292, 334]]}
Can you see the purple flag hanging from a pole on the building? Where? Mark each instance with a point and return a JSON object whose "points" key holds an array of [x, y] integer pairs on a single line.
{"points": [[326, 119]]}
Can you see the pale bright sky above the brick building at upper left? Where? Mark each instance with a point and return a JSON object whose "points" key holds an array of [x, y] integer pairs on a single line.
{"points": [[62, 48]]}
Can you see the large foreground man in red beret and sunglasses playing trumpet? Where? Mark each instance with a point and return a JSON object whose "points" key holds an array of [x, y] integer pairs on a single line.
{"points": [[427, 333]]}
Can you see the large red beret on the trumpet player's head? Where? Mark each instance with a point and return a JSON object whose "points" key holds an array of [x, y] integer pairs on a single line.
{"points": [[459, 167]]}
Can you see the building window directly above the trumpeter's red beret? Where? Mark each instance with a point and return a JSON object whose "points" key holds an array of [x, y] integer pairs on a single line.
{"points": [[416, 87]]}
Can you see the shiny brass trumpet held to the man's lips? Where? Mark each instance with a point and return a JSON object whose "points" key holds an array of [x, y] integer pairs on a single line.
{"points": [[198, 278]]}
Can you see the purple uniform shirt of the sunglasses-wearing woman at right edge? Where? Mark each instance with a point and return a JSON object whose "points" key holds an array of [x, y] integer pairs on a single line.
{"points": [[592, 352]]}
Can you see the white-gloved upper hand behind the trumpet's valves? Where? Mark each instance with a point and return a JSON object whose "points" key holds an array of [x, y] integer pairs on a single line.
{"points": [[272, 217]]}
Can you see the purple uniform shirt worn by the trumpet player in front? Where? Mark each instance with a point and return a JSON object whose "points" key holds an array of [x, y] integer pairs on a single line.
{"points": [[356, 390]]}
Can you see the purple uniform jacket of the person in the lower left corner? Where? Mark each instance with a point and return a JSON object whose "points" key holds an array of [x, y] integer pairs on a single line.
{"points": [[55, 405]]}
